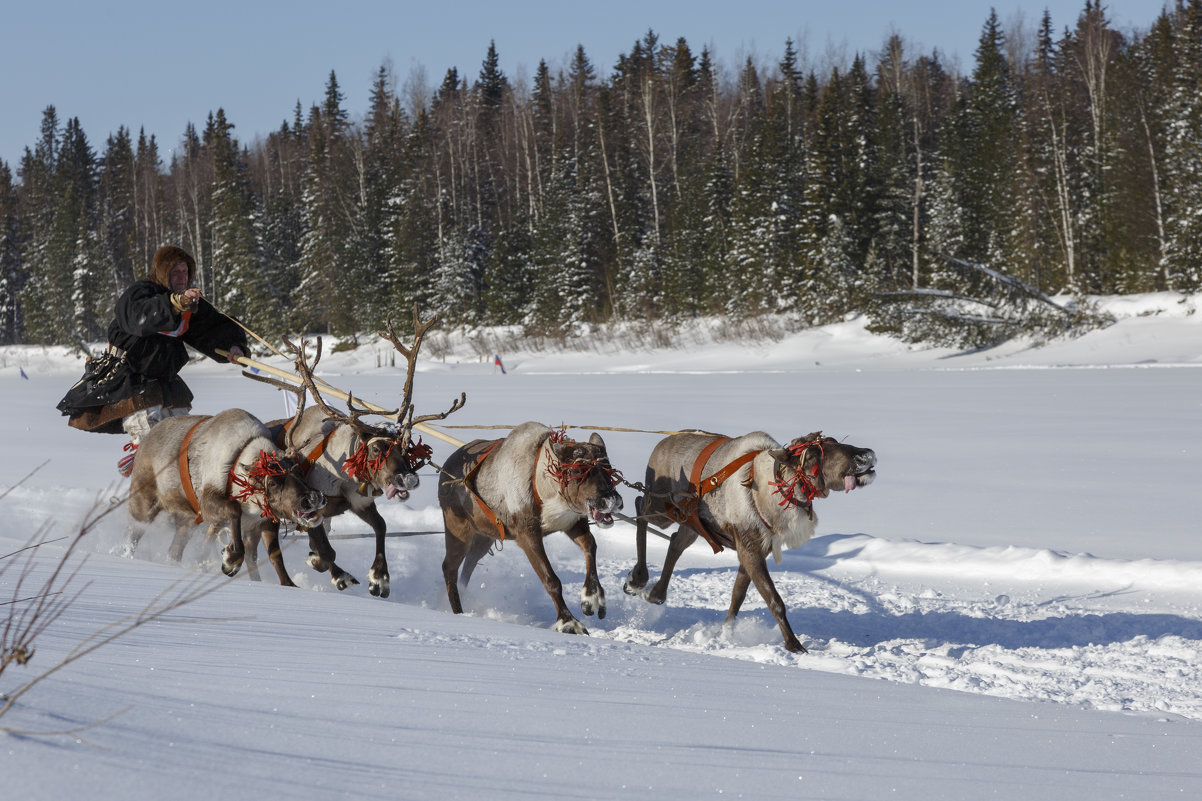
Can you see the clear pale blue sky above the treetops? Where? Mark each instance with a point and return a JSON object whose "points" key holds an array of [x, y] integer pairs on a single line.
{"points": [[162, 66]]}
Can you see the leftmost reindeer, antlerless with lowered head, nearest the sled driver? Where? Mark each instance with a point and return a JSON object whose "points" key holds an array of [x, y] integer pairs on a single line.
{"points": [[224, 470]]}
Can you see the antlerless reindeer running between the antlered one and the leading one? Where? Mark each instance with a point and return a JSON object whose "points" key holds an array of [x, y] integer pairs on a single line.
{"points": [[522, 489]]}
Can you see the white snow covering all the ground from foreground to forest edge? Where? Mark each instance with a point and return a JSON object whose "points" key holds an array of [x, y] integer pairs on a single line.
{"points": [[1024, 582]]}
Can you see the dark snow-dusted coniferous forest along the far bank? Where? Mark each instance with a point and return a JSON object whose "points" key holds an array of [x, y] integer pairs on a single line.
{"points": [[948, 209]]}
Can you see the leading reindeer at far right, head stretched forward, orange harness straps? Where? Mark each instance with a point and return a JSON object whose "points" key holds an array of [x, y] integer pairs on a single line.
{"points": [[748, 494]]}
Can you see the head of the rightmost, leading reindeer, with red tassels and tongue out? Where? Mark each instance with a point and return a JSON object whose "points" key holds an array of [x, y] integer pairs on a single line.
{"points": [[810, 466]]}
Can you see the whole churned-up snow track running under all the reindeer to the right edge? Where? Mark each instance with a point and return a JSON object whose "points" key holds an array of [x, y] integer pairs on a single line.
{"points": [[1008, 622]]}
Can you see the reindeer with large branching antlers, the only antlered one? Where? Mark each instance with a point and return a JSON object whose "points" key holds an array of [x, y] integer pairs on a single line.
{"points": [[350, 462]]}
